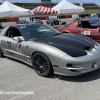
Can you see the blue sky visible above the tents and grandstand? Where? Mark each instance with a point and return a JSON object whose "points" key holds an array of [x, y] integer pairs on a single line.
{"points": [[55, 1]]}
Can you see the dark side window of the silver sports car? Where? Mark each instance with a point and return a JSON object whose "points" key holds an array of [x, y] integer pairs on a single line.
{"points": [[12, 32]]}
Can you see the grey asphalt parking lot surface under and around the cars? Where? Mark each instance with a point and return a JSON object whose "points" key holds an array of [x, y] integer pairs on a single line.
{"points": [[18, 76]]}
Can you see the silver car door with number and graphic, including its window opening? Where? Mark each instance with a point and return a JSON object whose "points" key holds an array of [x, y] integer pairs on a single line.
{"points": [[12, 47]]}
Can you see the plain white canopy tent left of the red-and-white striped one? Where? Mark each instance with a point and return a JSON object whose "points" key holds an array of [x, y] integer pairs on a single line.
{"points": [[9, 9]]}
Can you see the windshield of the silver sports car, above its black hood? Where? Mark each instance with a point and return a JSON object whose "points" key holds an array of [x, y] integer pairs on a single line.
{"points": [[40, 31]]}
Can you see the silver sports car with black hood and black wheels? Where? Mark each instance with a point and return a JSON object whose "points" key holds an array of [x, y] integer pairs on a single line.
{"points": [[50, 51]]}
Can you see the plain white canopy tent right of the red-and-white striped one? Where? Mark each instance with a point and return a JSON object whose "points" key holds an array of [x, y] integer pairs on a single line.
{"points": [[67, 7]]}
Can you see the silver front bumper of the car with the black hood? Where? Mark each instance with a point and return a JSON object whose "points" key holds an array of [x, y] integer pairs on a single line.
{"points": [[83, 64]]}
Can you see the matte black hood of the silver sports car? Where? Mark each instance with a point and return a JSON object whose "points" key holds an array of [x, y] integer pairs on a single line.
{"points": [[73, 44]]}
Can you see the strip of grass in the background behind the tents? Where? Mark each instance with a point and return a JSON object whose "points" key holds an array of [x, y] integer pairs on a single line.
{"points": [[85, 12]]}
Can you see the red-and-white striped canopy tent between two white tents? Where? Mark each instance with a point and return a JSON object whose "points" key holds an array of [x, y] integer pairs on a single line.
{"points": [[43, 10]]}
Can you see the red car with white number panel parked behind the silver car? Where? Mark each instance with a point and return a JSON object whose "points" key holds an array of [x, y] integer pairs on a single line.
{"points": [[88, 27]]}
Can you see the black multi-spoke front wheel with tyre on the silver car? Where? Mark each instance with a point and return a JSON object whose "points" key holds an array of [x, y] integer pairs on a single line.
{"points": [[42, 65]]}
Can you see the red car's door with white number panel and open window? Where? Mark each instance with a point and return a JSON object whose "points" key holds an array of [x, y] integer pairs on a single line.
{"points": [[85, 28]]}
